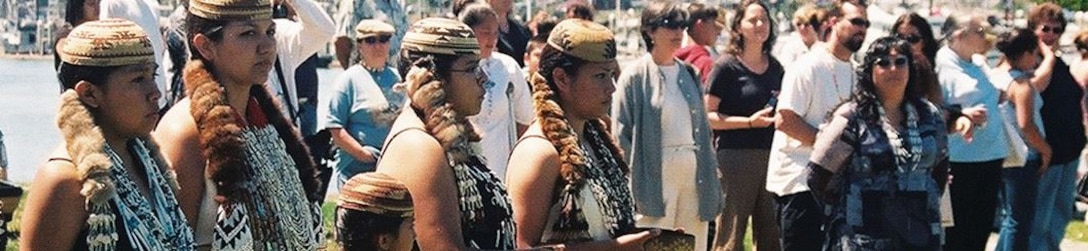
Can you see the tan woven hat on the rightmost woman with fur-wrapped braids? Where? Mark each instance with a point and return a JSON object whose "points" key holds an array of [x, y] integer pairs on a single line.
{"points": [[584, 40]]}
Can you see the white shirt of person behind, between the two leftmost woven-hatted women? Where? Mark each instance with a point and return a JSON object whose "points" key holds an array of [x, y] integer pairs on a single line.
{"points": [[144, 14]]}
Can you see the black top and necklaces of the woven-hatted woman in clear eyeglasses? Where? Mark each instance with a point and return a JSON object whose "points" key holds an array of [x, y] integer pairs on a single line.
{"points": [[487, 216]]}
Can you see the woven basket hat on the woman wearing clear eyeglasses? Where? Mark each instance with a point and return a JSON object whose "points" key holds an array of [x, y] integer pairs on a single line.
{"points": [[441, 36]]}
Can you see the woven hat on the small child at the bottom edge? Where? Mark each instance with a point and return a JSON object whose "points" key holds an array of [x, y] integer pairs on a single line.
{"points": [[377, 193]]}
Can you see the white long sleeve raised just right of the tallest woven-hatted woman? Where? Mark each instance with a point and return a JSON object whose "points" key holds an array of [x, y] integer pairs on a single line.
{"points": [[295, 43]]}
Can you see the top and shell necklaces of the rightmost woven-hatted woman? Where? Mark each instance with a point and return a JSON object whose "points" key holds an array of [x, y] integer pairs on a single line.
{"points": [[603, 206]]}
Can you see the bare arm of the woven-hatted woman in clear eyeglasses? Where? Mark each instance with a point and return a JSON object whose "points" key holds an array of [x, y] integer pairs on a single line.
{"points": [[417, 160]]}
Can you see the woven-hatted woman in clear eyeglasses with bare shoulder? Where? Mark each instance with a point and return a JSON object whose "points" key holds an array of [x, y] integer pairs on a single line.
{"points": [[432, 149]]}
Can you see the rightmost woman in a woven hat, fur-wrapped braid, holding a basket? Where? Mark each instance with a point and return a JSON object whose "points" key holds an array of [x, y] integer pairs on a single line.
{"points": [[570, 182]]}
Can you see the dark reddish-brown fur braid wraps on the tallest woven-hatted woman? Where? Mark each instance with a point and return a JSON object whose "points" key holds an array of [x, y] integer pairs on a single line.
{"points": [[221, 139]]}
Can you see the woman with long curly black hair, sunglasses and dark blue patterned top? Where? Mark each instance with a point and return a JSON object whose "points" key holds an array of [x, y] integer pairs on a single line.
{"points": [[882, 160]]}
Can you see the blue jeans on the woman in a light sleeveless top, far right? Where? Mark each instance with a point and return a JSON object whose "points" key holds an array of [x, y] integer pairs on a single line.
{"points": [[1020, 186]]}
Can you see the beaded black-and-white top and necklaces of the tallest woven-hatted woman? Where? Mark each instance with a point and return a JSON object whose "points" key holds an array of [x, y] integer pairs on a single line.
{"points": [[277, 208]]}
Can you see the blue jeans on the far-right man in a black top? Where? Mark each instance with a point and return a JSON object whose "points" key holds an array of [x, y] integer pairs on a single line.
{"points": [[1054, 206]]}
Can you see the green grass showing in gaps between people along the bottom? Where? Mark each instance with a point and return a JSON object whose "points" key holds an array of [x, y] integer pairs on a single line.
{"points": [[1078, 231]]}
